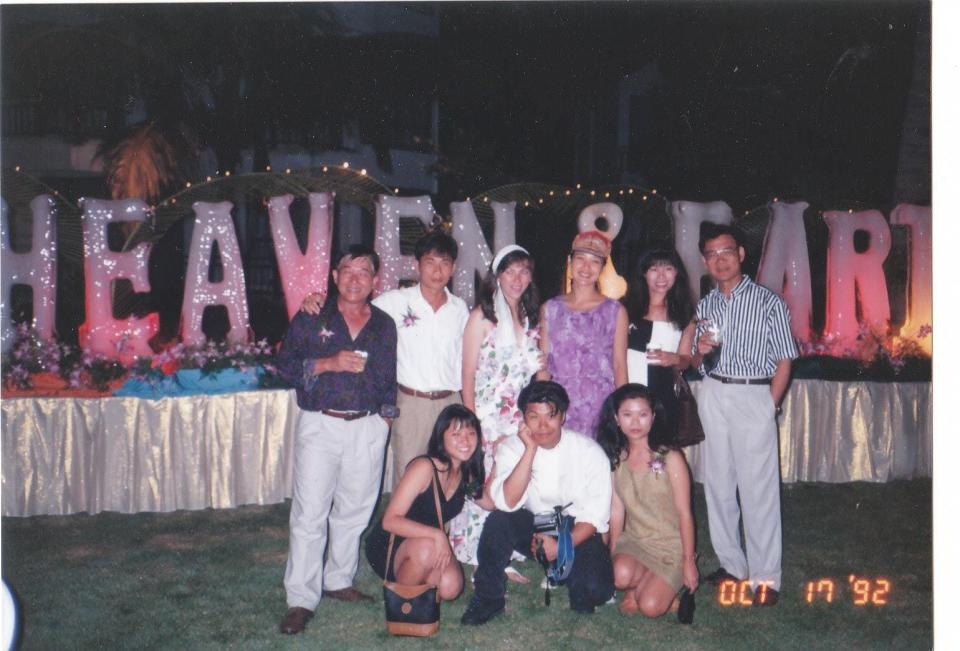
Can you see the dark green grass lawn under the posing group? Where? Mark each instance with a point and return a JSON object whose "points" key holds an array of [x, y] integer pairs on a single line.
{"points": [[214, 579]]}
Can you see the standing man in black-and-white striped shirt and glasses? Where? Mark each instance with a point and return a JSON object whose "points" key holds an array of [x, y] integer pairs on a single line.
{"points": [[743, 346]]}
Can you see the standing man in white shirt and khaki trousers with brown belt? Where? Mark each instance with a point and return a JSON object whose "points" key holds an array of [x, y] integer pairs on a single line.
{"points": [[430, 322]]}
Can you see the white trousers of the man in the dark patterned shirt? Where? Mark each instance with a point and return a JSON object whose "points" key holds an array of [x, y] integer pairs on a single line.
{"points": [[336, 477]]}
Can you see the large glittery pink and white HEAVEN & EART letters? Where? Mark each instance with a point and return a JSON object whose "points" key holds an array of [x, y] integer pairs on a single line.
{"points": [[856, 292]]}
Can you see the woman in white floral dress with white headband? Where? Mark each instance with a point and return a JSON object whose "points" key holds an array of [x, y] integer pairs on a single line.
{"points": [[500, 354]]}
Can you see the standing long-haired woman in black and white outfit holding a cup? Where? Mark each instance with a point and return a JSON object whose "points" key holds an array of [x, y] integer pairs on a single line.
{"points": [[661, 324]]}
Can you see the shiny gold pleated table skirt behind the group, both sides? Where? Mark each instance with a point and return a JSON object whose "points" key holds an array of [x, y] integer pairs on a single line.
{"points": [[70, 455]]}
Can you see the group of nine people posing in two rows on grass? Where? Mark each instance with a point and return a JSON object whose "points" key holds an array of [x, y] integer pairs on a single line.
{"points": [[514, 408]]}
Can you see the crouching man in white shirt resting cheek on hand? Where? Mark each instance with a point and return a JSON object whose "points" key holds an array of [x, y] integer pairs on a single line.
{"points": [[543, 467]]}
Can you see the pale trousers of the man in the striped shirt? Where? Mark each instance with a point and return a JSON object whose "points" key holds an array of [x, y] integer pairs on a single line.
{"points": [[741, 451]]}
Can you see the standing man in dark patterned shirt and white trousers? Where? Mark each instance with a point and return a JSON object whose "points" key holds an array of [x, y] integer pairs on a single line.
{"points": [[343, 364]]}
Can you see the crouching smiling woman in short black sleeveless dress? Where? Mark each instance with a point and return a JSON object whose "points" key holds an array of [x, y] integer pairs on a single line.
{"points": [[422, 551]]}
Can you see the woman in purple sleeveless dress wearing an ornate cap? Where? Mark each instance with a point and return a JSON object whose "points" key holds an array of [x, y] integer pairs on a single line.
{"points": [[584, 335]]}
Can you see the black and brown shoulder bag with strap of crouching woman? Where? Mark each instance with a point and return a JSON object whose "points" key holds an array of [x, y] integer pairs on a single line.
{"points": [[412, 610]]}
